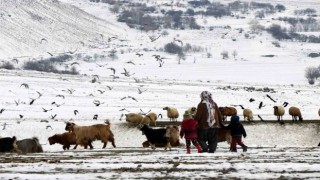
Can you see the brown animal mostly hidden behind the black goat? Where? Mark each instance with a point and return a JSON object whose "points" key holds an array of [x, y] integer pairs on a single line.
{"points": [[172, 132]]}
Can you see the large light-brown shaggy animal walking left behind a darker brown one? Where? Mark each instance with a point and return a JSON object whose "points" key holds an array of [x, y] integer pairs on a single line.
{"points": [[87, 134]]}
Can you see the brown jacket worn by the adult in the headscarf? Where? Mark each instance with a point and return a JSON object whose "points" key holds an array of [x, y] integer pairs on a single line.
{"points": [[202, 116]]}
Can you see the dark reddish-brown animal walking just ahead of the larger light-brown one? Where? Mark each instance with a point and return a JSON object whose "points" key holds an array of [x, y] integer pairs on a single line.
{"points": [[66, 139]]}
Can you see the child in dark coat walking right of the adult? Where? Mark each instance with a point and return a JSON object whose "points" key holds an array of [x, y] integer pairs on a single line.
{"points": [[236, 130]]}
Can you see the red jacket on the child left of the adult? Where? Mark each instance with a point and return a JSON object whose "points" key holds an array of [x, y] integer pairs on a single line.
{"points": [[189, 129]]}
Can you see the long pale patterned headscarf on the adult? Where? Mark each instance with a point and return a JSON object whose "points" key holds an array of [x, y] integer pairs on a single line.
{"points": [[206, 98]]}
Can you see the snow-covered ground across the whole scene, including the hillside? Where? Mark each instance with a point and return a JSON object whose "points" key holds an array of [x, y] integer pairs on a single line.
{"points": [[39, 103]]}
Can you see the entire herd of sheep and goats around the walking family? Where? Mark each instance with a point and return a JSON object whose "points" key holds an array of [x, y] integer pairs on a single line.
{"points": [[156, 137]]}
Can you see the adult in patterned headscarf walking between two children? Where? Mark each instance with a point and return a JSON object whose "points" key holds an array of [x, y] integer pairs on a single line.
{"points": [[209, 121]]}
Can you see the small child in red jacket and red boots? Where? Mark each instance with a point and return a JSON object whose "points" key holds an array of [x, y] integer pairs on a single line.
{"points": [[189, 129]]}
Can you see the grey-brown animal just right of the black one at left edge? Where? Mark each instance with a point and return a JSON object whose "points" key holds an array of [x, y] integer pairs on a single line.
{"points": [[30, 145]]}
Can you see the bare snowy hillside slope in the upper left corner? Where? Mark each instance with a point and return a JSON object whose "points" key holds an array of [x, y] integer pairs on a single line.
{"points": [[32, 28]]}
